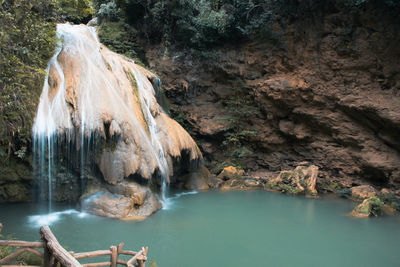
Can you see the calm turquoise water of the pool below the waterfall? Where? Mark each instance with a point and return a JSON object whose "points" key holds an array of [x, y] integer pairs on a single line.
{"points": [[230, 229]]}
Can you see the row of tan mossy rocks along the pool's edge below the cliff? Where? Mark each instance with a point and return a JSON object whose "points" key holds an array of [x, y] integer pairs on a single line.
{"points": [[302, 181]]}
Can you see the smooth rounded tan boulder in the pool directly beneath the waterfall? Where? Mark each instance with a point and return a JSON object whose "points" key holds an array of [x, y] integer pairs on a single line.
{"points": [[122, 201]]}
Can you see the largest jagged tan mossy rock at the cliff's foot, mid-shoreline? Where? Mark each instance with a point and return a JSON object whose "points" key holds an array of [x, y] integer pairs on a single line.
{"points": [[300, 181]]}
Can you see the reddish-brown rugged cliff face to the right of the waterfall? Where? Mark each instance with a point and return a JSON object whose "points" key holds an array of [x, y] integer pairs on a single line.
{"points": [[325, 90]]}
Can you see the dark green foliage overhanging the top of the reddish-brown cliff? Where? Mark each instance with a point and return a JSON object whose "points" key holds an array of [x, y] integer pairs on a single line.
{"points": [[202, 24]]}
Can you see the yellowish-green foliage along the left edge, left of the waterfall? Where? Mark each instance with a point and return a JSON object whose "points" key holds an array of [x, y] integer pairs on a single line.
{"points": [[26, 44]]}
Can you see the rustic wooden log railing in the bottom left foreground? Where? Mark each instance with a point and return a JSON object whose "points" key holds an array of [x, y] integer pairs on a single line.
{"points": [[54, 254]]}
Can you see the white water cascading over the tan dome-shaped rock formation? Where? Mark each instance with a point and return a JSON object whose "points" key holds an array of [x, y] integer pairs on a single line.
{"points": [[103, 106]]}
